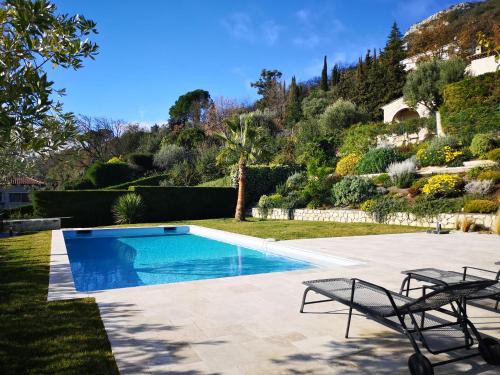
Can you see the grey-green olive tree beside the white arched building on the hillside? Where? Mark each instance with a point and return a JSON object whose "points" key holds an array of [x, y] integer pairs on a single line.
{"points": [[425, 84]]}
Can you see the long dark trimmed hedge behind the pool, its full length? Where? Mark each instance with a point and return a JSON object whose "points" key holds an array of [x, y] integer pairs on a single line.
{"points": [[94, 207]]}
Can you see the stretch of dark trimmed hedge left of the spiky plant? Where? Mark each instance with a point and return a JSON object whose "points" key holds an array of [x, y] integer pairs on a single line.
{"points": [[85, 207]]}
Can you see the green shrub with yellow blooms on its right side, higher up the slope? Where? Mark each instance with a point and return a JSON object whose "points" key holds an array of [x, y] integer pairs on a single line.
{"points": [[441, 151]]}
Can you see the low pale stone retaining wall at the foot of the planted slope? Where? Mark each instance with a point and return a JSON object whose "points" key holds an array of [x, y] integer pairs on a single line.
{"points": [[448, 221]]}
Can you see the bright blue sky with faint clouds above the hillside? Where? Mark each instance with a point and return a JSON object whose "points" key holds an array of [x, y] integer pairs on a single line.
{"points": [[152, 51]]}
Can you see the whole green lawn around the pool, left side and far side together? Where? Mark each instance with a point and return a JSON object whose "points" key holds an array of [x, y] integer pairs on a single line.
{"points": [[68, 337]]}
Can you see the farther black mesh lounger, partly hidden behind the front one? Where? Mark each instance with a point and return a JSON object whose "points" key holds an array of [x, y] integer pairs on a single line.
{"points": [[437, 276]]}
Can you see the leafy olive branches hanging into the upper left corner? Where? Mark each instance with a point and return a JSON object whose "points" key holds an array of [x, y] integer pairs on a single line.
{"points": [[33, 37]]}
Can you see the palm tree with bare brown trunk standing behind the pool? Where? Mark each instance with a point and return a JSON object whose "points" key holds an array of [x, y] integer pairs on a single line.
{"points": [[243, 141]]}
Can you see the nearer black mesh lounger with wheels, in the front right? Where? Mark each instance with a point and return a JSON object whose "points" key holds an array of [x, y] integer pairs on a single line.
{"points": [[408, 316]]}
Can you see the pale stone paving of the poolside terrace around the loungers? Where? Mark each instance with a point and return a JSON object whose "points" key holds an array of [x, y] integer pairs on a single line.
{"points": [[252, 324]]}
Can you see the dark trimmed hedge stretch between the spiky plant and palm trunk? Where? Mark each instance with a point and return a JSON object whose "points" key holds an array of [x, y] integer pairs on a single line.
{"points": [[183, 203]]}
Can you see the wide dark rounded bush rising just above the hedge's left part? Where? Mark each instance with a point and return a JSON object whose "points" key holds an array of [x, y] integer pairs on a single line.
{"points": [[108, 174]]}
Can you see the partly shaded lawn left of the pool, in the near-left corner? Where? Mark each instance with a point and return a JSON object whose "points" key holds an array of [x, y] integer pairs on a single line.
{"points": [[40, 337]]}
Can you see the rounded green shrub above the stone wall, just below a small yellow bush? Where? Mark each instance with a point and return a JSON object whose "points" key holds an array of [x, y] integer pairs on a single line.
{"points": [[352, 190]]}
